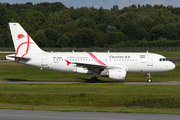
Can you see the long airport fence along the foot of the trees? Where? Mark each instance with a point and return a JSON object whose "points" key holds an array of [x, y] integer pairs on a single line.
{"points": [[104, 49]]}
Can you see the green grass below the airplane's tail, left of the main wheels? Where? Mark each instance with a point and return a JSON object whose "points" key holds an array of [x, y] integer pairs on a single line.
{"points": [[13, 71]]}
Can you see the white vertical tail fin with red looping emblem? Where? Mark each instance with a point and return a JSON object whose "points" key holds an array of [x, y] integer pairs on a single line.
{"points": [[23, 43]]}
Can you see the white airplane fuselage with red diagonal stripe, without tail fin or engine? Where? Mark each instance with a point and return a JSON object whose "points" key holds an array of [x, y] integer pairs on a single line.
{"points": [[133, 62]]}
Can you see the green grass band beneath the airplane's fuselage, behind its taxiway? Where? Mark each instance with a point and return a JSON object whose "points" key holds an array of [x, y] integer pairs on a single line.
{"points": [[13, 71]]}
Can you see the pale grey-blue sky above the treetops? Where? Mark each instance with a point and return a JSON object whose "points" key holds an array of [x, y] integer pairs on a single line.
{"points": [[106, 4]]}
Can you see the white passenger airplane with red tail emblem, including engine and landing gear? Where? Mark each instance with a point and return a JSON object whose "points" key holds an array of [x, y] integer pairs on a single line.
{"points": [[114, 65]]}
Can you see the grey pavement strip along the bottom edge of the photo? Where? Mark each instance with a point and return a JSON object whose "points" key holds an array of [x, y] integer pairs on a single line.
{"points": [[49, 115]]}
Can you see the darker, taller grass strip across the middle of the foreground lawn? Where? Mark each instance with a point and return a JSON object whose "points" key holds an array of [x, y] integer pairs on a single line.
{"points": [[94, 100]]}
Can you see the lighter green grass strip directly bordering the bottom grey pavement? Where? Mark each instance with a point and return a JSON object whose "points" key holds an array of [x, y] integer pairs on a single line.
{"points": [[89, 109]]}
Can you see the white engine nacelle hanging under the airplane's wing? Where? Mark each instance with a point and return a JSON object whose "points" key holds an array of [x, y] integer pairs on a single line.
{"points": [[117, 74]]}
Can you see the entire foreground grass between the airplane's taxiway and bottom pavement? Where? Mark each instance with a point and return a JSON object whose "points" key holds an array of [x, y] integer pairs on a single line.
{"points": [[91, 97]]}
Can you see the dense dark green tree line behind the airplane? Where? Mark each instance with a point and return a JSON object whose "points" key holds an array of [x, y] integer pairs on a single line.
{"points": [[55, 25]]}
